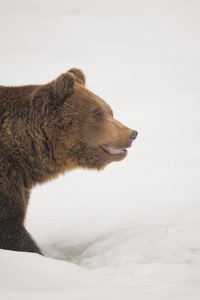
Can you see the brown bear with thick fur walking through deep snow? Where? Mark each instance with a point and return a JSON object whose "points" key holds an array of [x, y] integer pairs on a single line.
{"points": [[46, 130]]}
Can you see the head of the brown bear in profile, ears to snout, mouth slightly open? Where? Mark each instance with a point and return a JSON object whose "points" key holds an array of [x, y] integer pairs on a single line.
{"points": [[79, 124]]}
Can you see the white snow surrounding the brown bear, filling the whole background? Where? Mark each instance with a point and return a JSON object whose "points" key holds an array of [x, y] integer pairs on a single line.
{"points": [[132, 230]]}
